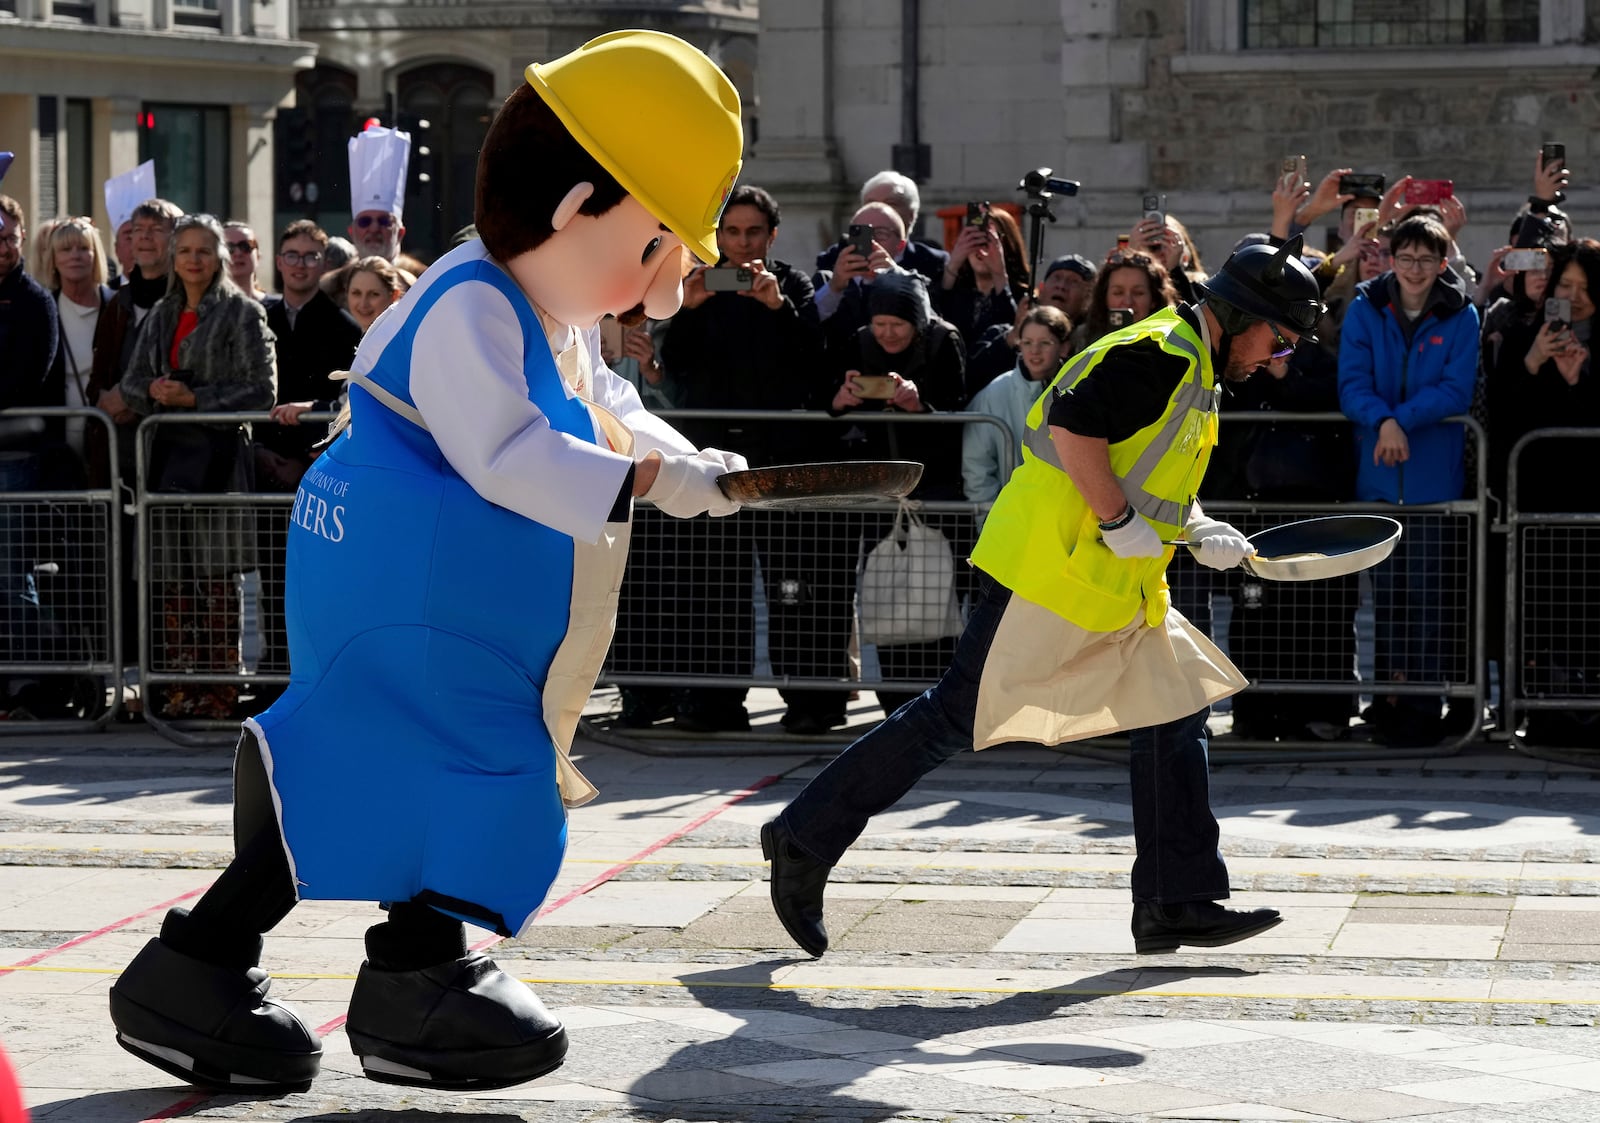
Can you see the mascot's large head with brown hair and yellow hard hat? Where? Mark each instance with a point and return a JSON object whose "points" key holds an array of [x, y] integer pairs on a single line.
{"points": [[606, 172]]}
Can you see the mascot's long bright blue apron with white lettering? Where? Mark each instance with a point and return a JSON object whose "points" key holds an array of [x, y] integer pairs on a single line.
{"points": [[410, 757]]}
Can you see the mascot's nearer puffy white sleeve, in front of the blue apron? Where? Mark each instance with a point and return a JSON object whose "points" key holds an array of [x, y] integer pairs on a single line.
{"points": [[468, 382]]}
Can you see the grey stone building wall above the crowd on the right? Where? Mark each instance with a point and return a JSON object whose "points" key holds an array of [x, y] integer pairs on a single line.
{"points": [[1198, 100]]}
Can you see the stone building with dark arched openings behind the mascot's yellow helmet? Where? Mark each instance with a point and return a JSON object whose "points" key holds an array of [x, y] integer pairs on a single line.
{"points": [[439, 70]]}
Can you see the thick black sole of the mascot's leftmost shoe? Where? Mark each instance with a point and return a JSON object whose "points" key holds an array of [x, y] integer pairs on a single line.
{"points": [[210, 1063]]}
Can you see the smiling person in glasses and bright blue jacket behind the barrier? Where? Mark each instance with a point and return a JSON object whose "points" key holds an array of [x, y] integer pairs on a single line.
{"points": [[1409, 361]]}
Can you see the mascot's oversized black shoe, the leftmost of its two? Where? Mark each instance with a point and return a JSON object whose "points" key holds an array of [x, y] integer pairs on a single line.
{"points": [[209, 1023]]}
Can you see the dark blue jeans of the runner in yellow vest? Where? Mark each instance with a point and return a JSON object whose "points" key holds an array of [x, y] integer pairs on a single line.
{"points": [[1175, 831]]}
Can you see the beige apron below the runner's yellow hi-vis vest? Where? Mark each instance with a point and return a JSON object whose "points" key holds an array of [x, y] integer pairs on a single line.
{"points": [[1049, 681]]}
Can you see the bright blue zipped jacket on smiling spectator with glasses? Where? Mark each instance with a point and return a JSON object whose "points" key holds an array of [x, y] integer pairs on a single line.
{"points": [[1417, 372]]}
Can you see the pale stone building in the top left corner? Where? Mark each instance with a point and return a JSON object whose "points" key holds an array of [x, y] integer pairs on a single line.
{"points": [[89, 90]]}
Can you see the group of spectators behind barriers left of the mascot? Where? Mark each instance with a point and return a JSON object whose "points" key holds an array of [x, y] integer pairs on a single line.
{"points": [[178, 322]]}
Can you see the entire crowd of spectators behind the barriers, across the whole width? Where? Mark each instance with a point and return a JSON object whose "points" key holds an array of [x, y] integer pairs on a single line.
{"points": [[884, 326]]}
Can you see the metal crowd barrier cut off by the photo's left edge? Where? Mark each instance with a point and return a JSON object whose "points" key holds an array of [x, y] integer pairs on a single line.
{"points": [[60, 583]]}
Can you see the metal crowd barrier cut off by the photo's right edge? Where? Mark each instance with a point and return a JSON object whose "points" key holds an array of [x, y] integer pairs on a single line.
{"points": [[1553, 613]]}
